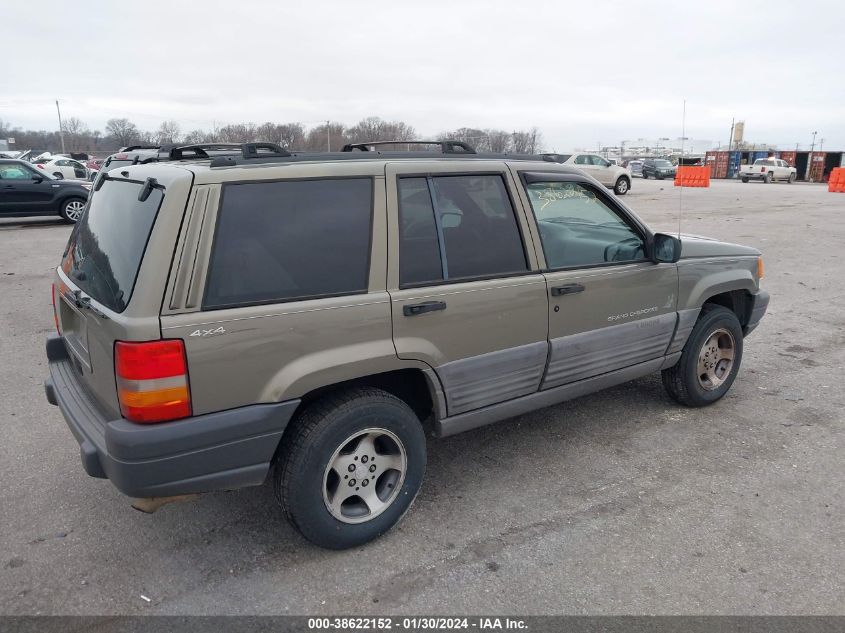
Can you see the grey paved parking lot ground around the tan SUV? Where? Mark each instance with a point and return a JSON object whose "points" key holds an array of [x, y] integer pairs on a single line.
{"points": [[617, 503]]}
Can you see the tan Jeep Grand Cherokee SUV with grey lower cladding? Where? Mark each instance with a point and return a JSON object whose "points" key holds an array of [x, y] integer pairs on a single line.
{"points": [[305, 317]]}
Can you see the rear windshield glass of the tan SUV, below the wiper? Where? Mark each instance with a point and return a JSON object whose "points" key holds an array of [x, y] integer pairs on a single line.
{"points": [[107, 244]]}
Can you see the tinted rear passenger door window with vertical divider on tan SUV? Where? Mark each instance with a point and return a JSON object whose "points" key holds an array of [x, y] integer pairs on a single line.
{"points": [[457, 227]]}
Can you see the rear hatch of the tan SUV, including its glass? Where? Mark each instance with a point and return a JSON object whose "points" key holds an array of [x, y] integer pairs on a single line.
{"points": [[113, 273]]}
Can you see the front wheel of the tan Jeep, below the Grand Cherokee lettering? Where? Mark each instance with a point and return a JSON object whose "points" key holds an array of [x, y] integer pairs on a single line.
{"points": [[710, 360]]}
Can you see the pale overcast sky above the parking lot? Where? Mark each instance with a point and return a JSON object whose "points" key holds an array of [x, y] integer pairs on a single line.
{"points": [[583, 72]]}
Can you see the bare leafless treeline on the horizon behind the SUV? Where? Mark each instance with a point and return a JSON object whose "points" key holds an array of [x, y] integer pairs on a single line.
{"points": [[331, 135]]}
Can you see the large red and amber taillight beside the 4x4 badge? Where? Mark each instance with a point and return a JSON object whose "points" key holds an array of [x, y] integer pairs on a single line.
{"points": [[152, 380]]}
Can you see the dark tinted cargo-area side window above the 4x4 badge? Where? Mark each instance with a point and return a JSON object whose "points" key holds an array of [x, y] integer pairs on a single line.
{"points": [[290, 240]]}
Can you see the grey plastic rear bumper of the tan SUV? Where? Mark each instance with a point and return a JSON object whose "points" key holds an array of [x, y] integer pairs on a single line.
{"points": [[216, 451]]}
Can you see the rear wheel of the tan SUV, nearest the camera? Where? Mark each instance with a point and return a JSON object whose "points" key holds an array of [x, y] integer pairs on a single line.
{"points": [[350, 467]]}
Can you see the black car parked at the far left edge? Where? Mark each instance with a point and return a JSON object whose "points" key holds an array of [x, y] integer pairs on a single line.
{"points": [[26, 190]]}
